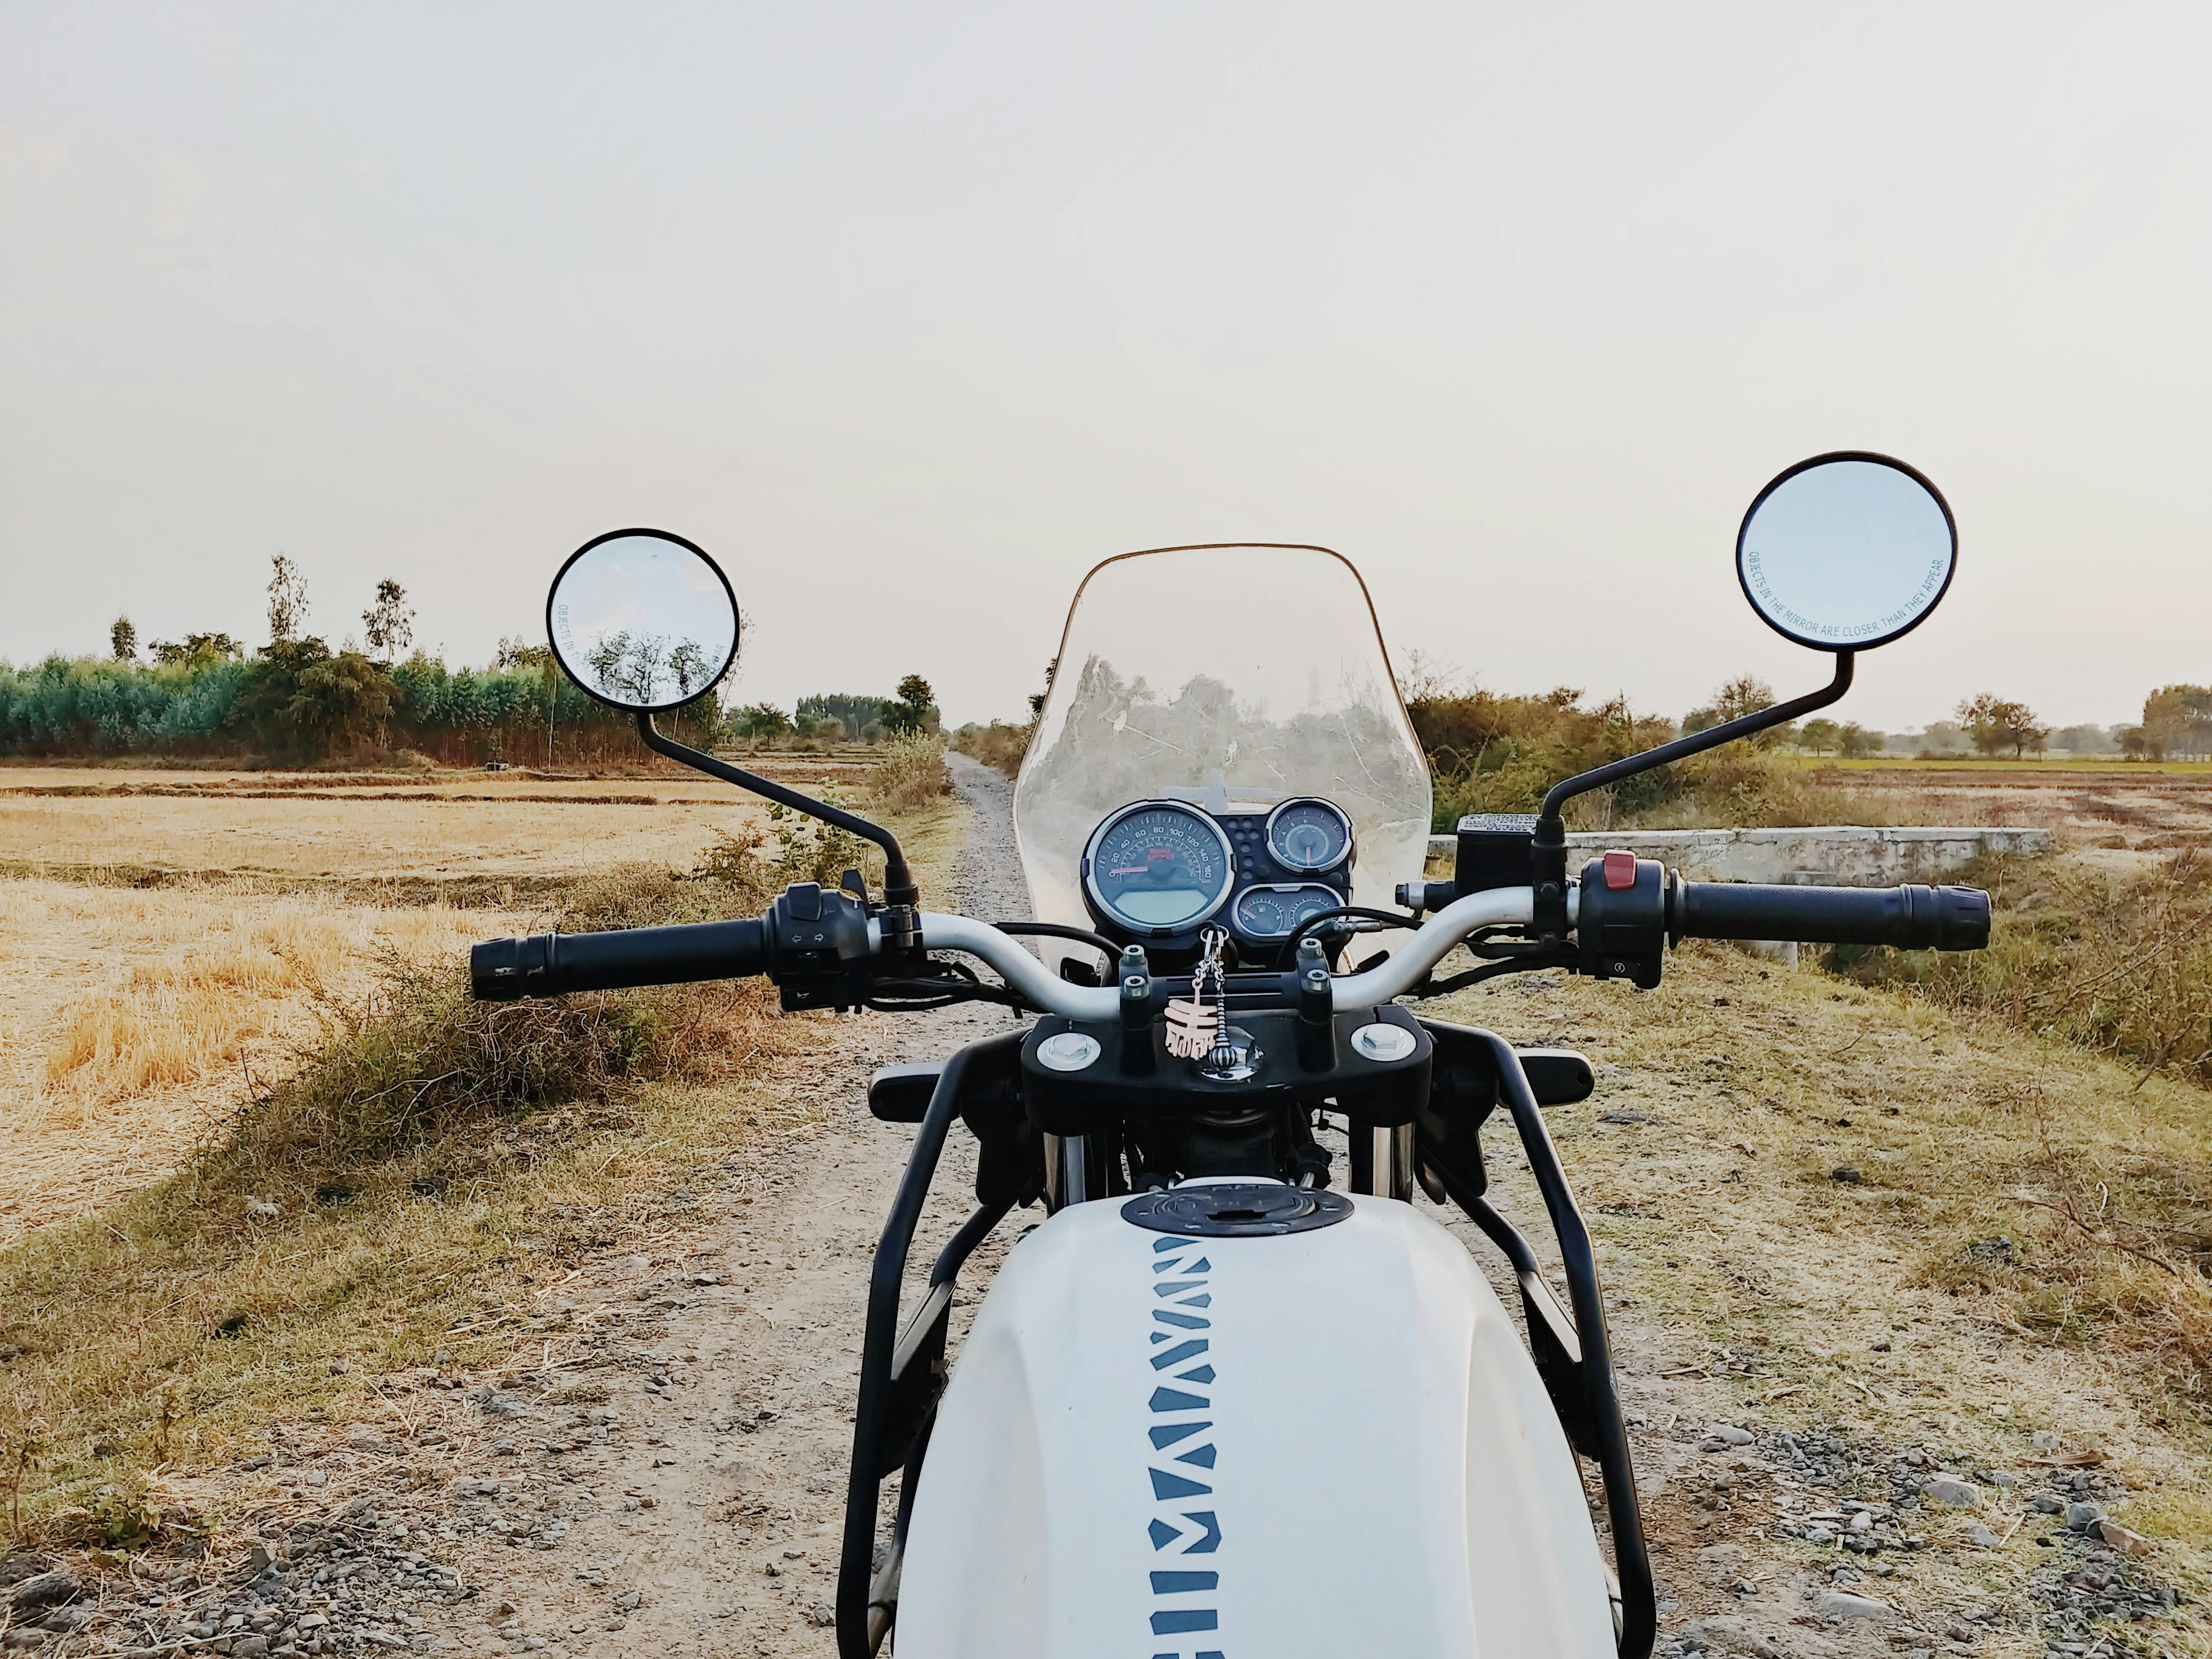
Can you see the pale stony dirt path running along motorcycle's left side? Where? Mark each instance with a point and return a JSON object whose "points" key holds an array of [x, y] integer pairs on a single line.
{"points": [[709, 1521]]}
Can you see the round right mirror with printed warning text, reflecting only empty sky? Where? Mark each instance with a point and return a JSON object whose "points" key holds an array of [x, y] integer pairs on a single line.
{"points": [[1848, 552]]}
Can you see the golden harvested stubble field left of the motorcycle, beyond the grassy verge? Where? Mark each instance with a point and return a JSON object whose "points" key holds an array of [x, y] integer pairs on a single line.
{"points": [[174, 935]]}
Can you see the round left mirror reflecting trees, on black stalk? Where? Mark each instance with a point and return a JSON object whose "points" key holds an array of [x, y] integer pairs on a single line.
{"points": [[643, 620]]}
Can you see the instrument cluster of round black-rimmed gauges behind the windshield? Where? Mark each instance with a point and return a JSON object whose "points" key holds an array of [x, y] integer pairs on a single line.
{"points": [[1162, 870]]}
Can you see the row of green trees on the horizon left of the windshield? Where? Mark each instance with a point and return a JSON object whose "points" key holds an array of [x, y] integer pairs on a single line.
{"points": [[298, 700]]}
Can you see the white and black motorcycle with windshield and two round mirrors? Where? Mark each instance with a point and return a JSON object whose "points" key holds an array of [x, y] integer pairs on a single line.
{"points": [[1213, 1404]]}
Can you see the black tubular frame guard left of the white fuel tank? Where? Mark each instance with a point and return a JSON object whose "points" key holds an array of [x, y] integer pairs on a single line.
{"points": [[864, 1483]]}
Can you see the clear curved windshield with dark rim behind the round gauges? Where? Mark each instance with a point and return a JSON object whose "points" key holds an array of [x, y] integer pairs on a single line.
{"points": [[1231, 678]]}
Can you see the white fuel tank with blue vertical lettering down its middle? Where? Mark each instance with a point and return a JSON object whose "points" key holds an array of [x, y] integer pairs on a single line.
{"points": [[1324, 1443]]}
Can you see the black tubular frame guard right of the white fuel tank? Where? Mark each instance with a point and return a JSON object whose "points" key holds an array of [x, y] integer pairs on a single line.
{"points": [[1631, 1558]]}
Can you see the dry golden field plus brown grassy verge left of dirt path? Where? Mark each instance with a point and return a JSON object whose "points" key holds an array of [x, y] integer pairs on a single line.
{"points": [[244, 1092]]}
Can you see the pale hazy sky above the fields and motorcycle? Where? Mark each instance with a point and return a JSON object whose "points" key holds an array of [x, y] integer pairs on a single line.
{"points": [[915, 313]]}
